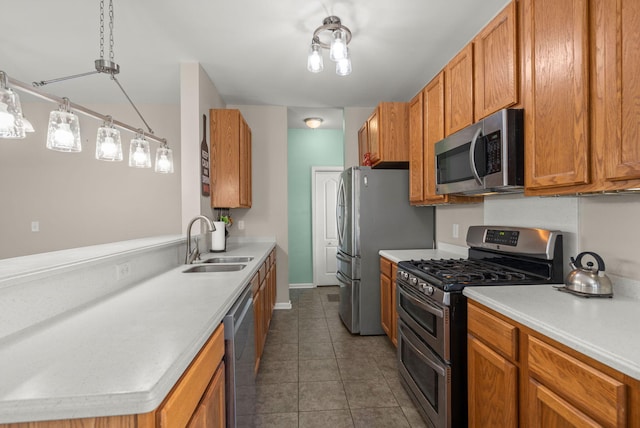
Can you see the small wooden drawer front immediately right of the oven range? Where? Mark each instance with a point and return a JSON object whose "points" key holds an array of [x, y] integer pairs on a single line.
{"points": [[501, 335]]}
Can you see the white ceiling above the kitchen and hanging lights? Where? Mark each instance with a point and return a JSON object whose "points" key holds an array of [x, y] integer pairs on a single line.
{"points": [[254, 50]]}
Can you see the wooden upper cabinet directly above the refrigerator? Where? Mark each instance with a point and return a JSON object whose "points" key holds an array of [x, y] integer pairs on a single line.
{"points": [[388, 128]]}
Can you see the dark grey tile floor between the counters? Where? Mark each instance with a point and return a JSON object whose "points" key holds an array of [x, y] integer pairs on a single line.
{"points": [[314, 373]]}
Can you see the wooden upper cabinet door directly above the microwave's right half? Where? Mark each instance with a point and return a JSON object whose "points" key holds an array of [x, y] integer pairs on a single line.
{"points": [[495, 64]]}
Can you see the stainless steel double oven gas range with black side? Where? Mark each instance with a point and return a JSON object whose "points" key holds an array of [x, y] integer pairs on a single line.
{"points": [[432, 311]]}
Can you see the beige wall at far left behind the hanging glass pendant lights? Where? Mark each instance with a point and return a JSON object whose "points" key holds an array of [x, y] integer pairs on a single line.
{"points": [[78, 200]]}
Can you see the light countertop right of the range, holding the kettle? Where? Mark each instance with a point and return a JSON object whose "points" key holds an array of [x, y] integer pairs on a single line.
{"points": [[601, 328]]}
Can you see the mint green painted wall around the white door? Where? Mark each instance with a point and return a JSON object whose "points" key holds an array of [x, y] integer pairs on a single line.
{"points": [[307, 148]]}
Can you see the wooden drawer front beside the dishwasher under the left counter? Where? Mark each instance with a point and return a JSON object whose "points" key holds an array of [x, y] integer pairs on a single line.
{"points": [[182, 401]]}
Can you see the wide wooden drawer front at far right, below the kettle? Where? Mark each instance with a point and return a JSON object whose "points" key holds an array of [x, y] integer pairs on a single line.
{"points": [[595, 393]]}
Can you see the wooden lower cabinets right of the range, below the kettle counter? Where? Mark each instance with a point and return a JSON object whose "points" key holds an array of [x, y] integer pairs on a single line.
{"points": [[518, 377]]}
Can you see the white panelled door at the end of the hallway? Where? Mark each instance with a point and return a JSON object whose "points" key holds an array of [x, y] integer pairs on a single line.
{"points": [[325, 231]]}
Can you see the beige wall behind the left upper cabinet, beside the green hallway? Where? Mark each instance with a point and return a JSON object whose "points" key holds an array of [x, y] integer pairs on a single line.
{"points": [[268, 215]]}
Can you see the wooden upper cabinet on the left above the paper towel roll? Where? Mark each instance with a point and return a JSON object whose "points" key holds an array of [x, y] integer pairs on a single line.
{"points": [[230, 160]]}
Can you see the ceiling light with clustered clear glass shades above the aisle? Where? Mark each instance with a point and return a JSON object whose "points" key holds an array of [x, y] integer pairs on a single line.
{"points": [[334, 36]]}
